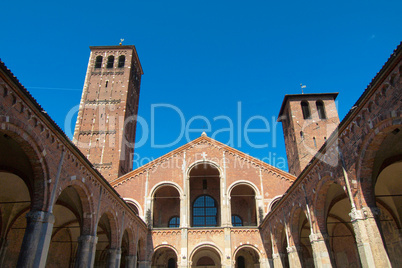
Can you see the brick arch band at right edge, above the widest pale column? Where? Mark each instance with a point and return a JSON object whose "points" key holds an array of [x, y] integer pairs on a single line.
{"points": [[365, 163]]}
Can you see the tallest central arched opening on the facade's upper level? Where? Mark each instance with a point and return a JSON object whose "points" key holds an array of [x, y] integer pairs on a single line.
{"points": [[205, 195]]}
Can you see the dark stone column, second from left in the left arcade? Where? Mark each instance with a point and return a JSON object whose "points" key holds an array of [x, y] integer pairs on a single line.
{"points": [[86, 251]]}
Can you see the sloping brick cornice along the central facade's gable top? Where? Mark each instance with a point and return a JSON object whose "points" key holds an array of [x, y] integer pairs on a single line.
{"points": [[192, 143]]}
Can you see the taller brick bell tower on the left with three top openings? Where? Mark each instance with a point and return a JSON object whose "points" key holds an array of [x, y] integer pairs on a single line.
{"points": [[106, 123]]}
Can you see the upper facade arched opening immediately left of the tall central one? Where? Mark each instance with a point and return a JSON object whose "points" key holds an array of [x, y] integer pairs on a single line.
{"points": [[166, 204]]}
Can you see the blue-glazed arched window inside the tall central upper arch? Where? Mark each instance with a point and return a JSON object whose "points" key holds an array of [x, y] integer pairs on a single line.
{"points": [[205, 212]]}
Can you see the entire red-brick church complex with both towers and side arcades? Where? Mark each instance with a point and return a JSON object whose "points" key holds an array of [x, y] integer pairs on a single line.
{"points": [[79, 203]]}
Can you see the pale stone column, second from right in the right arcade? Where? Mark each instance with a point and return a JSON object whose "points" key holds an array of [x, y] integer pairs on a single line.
{"points": [[319, 243]]}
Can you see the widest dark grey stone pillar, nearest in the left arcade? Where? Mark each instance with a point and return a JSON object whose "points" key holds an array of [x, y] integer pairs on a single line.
{"points": [[35, 244]]}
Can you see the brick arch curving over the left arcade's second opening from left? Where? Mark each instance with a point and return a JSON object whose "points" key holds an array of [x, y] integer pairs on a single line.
{"points": [[87, 205]]}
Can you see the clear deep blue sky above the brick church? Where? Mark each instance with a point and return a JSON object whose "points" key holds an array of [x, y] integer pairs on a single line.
{"points": [[204, 57]]}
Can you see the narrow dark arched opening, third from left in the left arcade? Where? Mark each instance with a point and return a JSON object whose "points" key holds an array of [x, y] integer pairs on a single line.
{"points": [[104, 241]]}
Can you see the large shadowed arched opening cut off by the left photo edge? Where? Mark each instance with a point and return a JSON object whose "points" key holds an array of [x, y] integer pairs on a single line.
{"points": [[17, 180]]}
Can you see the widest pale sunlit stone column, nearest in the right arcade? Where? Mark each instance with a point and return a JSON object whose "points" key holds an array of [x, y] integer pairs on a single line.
{"points": [[368, 238]]}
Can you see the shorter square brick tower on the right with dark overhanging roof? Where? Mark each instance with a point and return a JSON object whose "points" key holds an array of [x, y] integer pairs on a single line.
{"points": [[307, 121]]}
